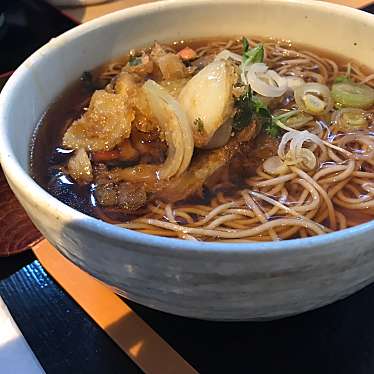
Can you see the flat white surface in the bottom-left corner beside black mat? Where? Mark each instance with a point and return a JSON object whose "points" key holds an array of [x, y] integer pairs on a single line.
{"points": [[16, 356]]}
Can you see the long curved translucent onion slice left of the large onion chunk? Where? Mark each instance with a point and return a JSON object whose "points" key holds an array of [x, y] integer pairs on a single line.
{"points": [[175, 125]]}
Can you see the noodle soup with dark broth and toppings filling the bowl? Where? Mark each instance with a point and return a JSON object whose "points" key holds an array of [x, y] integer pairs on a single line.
{"points": [[230, 140]]}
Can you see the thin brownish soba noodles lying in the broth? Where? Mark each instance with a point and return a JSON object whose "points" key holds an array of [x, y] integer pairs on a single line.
{"points": [[261, 203]]}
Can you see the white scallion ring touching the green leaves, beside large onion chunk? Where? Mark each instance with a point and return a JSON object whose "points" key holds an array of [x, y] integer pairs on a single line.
{"points": [[264, 81]]}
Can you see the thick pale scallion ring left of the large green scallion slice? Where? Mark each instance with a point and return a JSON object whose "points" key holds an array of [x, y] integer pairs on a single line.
{"points": [[313, 98]]}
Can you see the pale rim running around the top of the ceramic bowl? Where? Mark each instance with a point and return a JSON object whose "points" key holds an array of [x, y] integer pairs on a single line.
{"points": [[41, 197]]}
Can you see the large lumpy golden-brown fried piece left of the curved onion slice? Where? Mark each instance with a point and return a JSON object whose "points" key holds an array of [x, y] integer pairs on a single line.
{"points": [[105, 124]]}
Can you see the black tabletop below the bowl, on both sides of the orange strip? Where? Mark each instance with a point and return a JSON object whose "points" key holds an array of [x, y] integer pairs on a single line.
{"points": [[335, 339]]}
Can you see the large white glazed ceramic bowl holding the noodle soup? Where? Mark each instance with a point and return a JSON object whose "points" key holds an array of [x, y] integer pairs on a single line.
{"points": [[202, 280]]}
